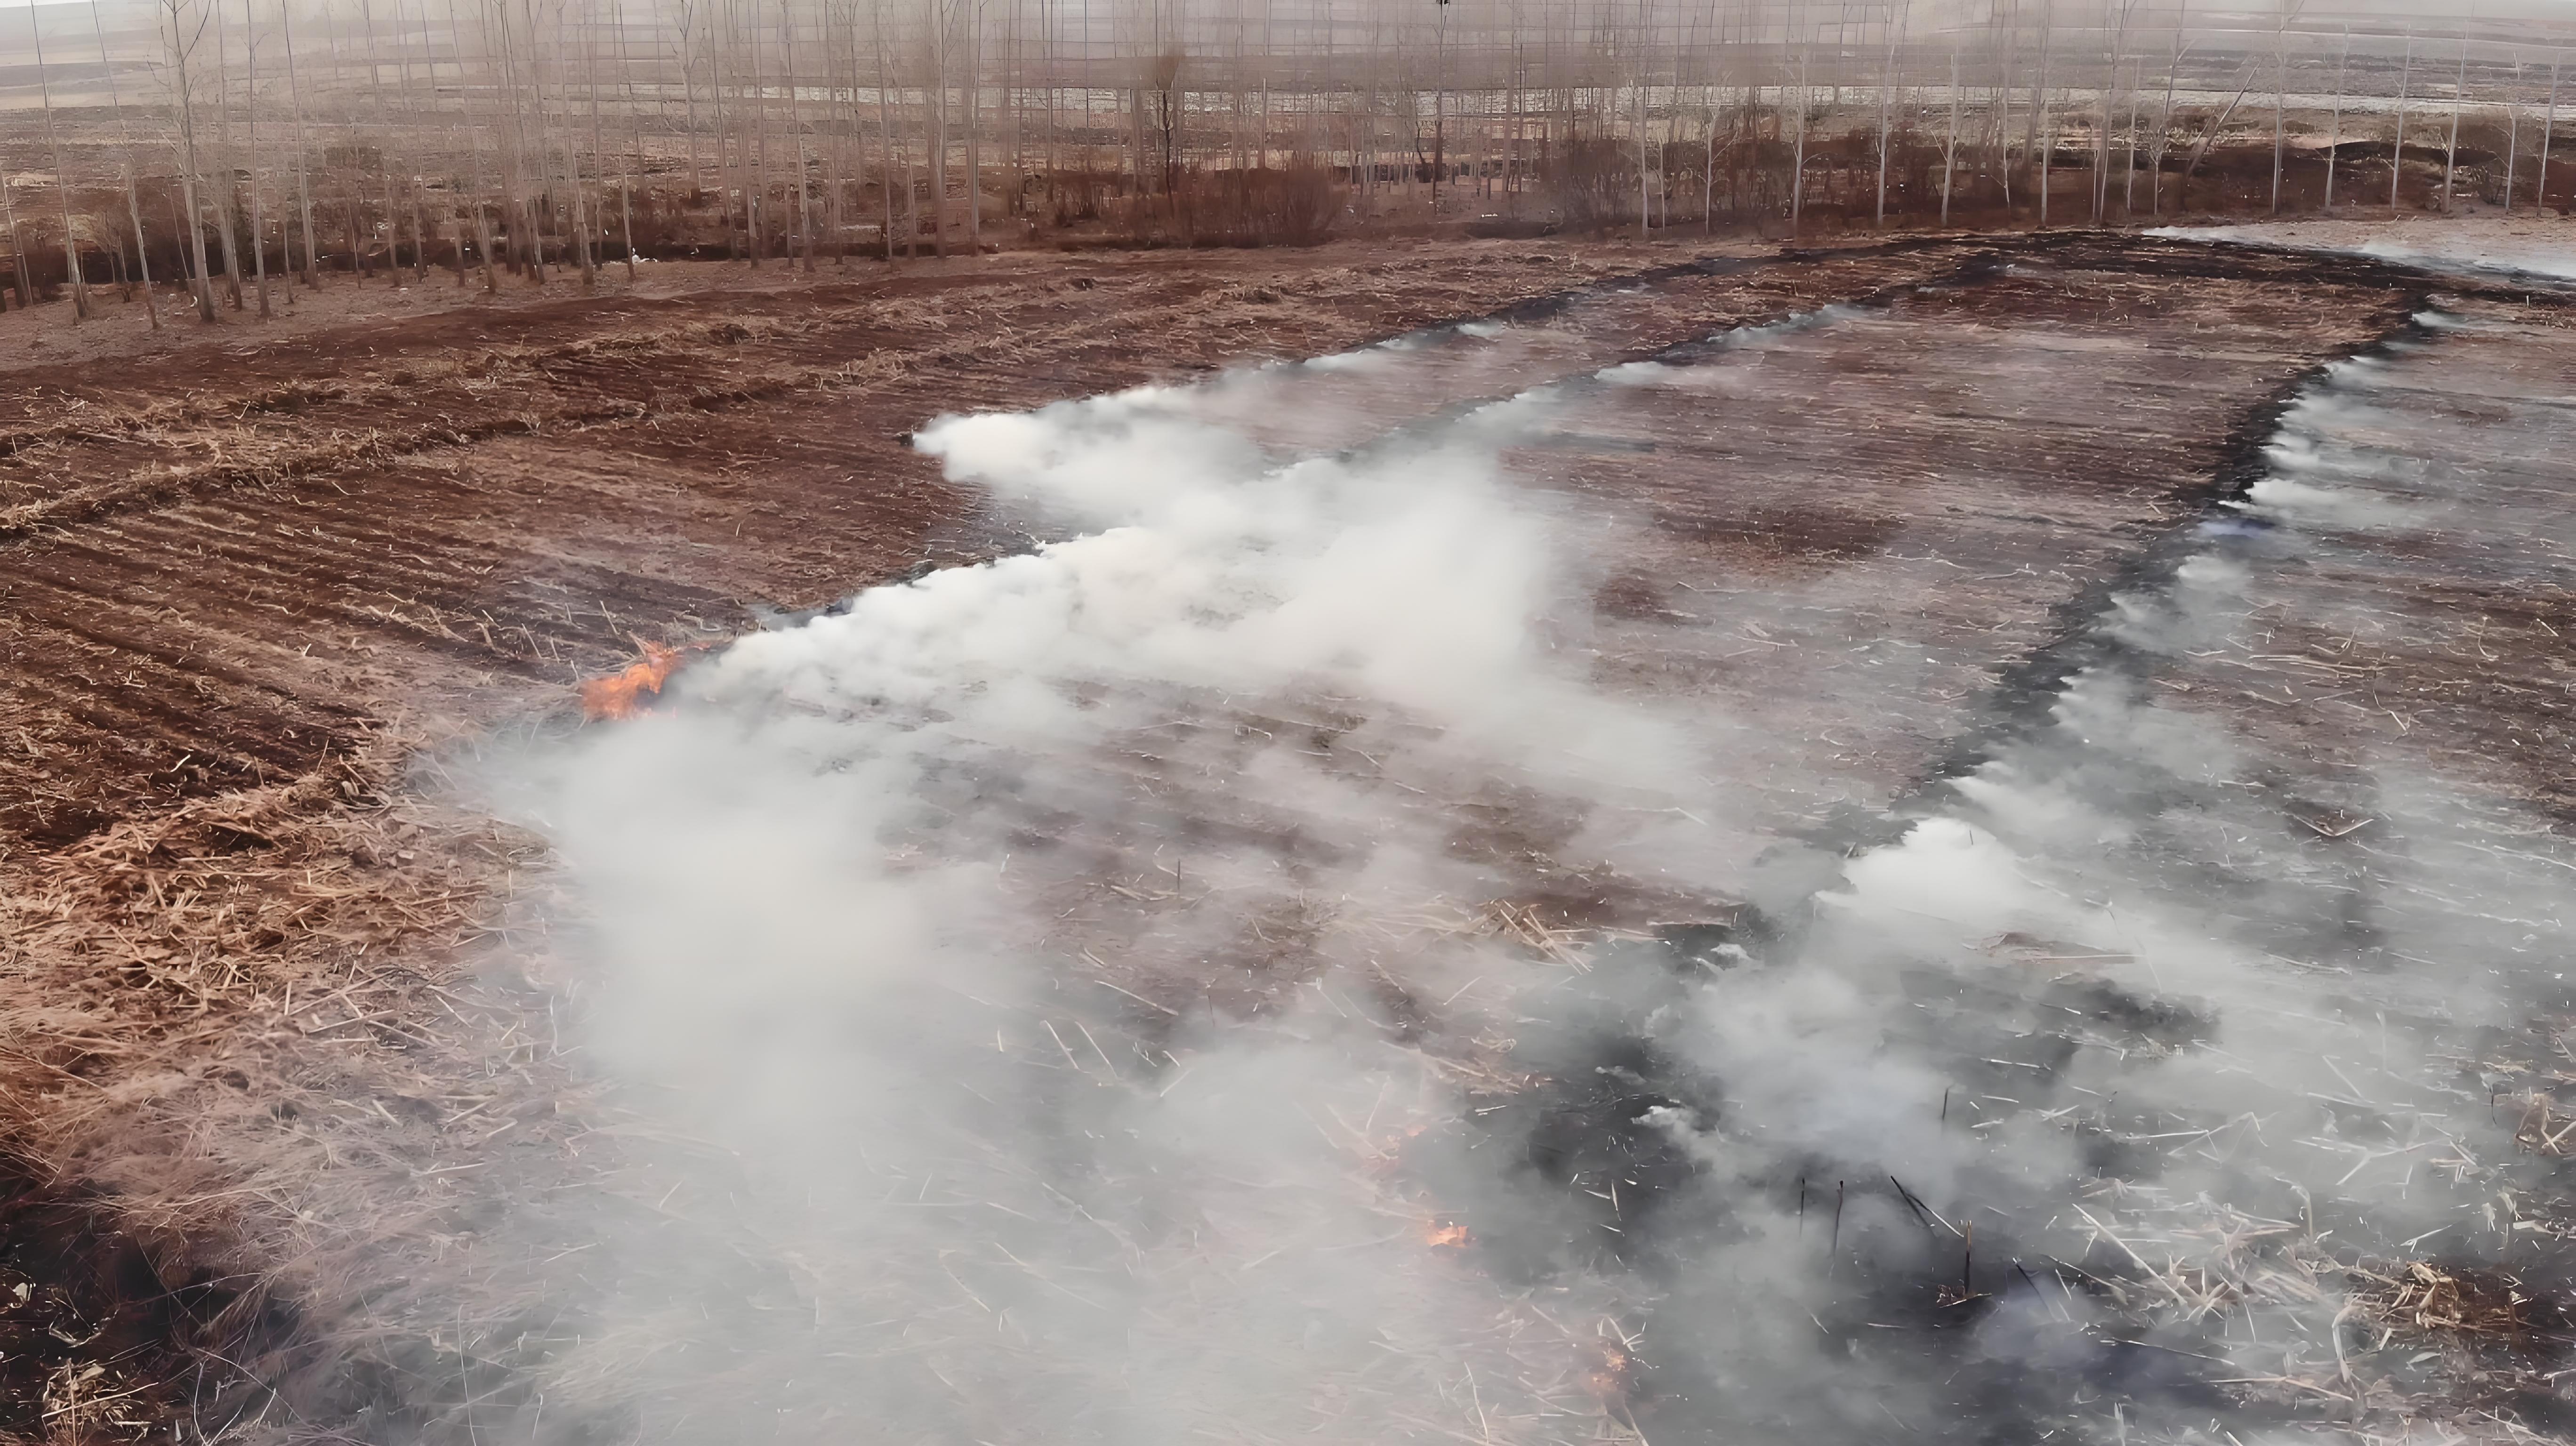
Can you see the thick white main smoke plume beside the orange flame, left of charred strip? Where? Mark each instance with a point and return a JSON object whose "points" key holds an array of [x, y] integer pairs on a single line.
{"points": [[854, 916]]}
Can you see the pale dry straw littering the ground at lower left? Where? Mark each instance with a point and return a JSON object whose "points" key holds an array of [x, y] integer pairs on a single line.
{"points": [[254, 1030]]}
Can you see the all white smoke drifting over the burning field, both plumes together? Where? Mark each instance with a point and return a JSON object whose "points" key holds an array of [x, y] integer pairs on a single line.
{"points": [[1114, 1007]]}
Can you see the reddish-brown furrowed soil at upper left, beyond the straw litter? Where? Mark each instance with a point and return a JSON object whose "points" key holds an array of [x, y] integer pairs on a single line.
{"points": [[228, 568]]}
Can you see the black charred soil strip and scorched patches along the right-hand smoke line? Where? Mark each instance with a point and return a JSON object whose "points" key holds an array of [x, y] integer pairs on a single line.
{"points": [[1598, 1115]]}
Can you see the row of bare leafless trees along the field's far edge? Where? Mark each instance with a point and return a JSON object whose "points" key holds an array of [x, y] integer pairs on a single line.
{"points": [[243, 143]]}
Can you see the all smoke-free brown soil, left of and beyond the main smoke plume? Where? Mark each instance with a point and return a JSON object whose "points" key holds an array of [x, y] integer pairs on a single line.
{"points": [[254, 958]]}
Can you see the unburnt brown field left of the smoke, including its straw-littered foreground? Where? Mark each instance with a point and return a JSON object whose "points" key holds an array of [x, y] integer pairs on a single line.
{"points": [[243, 604]]}
